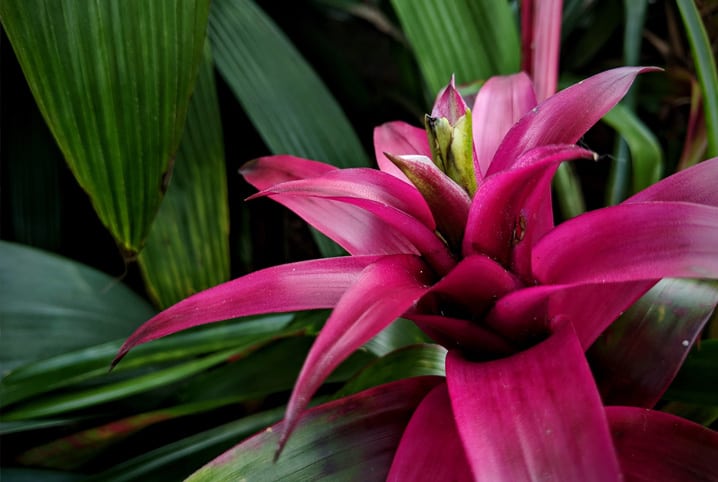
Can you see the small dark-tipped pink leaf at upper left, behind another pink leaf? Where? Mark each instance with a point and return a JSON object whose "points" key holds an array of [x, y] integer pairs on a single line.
{"points": [[268, 171]]}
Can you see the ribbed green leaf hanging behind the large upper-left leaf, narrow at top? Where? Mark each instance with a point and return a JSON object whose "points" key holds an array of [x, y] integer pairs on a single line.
{"points": [[188, 247]]}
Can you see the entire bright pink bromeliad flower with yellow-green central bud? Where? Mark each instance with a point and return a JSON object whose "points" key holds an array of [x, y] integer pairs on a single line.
{"points": [[455, 232]]}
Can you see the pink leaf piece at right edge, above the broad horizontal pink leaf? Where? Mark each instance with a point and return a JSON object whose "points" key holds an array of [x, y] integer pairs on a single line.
{"points": [[696, 184]]}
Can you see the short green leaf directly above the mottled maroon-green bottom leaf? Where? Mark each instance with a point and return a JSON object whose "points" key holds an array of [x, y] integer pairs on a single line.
{"points": [[410, 361]]}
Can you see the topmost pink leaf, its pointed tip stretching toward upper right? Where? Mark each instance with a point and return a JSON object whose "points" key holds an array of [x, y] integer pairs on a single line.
{"points": [[566, 116]]}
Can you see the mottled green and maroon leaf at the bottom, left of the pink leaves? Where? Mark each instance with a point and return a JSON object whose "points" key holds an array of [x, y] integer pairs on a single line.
{"points": [[338, 440]]}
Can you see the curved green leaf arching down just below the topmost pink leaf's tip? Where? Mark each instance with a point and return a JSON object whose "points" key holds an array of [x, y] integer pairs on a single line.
{"points": [[646, 154]]}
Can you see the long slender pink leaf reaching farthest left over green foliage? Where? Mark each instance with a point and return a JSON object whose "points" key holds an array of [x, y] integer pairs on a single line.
{"points": [[298, 286]]}
